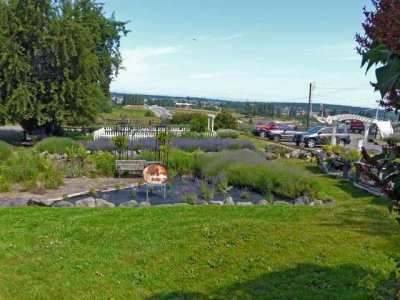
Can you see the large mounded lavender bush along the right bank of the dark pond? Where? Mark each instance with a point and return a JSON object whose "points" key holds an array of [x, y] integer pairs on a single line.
{"points": [[249, 169]]}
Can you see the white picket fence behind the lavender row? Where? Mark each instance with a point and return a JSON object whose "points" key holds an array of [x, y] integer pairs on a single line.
{"points": [[138, 133]]}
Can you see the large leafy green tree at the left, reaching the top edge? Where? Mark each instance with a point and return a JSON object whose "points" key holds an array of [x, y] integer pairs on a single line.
{"points": [[57, 62]]}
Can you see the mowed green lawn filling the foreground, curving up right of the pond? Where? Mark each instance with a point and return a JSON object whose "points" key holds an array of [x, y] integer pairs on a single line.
{"points": [[345, 250]]}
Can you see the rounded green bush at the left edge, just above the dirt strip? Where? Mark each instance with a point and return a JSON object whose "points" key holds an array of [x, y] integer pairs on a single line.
{"points": [[31, 170]]}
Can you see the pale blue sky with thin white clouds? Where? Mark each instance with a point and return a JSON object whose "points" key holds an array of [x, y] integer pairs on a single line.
{"points": [[260, 50]]}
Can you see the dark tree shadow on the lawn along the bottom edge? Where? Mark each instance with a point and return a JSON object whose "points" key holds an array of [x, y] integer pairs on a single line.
{"points": [[305, 281]]}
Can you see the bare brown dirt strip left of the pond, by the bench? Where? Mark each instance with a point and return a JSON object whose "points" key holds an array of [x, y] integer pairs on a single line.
{"points": [[72, 186]]}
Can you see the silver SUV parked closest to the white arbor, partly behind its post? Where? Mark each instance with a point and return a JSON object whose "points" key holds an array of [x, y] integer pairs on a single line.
{"points": [[320, 135]]}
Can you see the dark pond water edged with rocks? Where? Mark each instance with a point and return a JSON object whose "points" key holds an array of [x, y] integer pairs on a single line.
{"points": [[176, 189]]}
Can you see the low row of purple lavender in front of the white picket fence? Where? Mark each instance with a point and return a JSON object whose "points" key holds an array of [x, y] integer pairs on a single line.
{"points": [[185, 144]]}
